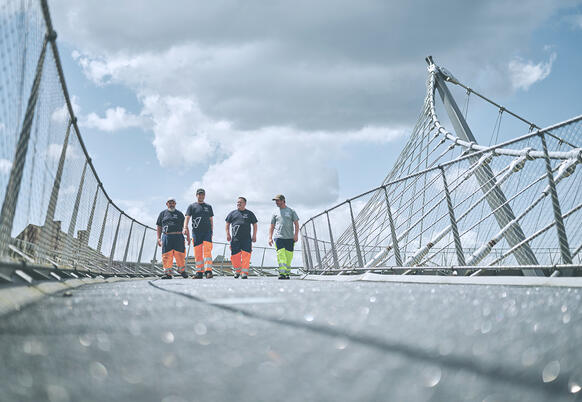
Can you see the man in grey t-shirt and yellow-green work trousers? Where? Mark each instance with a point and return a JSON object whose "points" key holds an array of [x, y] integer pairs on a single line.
{"points": [[283, 221]]}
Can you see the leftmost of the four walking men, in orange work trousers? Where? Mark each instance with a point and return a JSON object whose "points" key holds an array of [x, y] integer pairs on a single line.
{"points": [[170, 238]]}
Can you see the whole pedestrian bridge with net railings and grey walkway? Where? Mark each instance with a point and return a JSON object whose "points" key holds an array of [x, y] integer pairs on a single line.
{"points": [[455, 279]]}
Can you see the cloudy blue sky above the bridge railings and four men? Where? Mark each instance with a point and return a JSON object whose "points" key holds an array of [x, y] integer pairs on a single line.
{"points": [[313, 100]]}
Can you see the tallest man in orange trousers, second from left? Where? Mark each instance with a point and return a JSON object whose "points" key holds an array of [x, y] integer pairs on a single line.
{"points": [[202, 225]]}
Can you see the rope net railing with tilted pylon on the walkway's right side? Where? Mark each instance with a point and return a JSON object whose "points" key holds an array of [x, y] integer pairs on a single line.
{"points": [[452, 206]]}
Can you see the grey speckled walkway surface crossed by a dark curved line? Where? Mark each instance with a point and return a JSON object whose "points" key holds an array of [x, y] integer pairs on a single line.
{"points": [[265, 340]]}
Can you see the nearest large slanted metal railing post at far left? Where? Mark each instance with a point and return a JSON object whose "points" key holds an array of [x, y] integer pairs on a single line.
{"points": [[17, 170]]}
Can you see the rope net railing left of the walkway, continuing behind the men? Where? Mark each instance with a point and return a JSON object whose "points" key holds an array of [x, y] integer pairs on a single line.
{"points": [[55, 210]]}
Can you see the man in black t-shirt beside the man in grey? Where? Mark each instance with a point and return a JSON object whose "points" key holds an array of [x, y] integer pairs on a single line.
{"points": [[240, 220]]}
